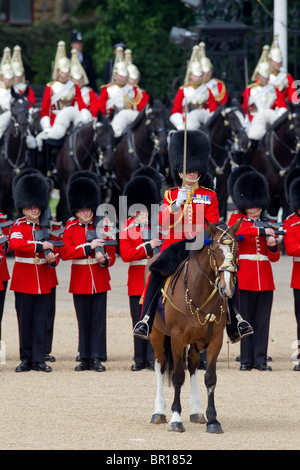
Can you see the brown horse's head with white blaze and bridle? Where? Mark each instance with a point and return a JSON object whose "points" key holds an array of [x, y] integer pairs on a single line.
{"points": [[223, 248]]}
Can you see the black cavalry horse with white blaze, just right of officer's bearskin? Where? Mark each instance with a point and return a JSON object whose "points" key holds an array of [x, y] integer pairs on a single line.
{"points": [[228, 140]]}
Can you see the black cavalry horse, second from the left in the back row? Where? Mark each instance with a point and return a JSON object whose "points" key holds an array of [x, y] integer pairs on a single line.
{"points": [[86, 147]]}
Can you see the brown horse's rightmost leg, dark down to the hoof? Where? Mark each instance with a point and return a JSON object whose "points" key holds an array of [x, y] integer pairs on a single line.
{"points": [[210, 378]]}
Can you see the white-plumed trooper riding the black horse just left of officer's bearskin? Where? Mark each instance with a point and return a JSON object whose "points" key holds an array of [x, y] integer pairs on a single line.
{"points": [[119, 99]]}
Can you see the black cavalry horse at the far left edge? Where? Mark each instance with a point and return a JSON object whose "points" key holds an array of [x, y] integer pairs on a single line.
{"points": [[13, 149]]}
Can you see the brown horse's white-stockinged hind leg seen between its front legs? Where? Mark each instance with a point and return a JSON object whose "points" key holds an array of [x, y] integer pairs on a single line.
{"points": [[196, 413]]}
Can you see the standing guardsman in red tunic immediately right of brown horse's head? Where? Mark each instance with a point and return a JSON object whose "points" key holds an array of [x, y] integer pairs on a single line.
{"points": [[258, 248]]}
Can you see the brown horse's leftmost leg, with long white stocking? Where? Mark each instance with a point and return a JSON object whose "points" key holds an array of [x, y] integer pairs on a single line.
{"points": [[157, 341]]}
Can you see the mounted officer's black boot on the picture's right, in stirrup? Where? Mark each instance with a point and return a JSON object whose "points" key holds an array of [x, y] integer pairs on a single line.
{"points": [[238, 327]]}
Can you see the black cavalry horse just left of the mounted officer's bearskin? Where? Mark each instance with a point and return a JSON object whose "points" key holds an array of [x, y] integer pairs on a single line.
{"points": [[144, 143]]}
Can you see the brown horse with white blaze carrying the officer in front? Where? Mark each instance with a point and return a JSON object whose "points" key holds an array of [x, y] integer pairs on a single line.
{"points": [[195, 315]]}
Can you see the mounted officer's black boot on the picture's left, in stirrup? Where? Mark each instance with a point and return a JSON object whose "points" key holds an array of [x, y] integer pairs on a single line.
{"points": [[143, 328]]}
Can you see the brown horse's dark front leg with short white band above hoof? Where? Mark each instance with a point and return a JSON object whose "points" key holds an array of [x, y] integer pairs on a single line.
{"points": [[178, 377]]}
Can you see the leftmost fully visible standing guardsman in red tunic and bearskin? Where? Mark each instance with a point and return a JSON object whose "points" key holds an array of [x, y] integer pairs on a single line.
{"points": [[30, 277]]}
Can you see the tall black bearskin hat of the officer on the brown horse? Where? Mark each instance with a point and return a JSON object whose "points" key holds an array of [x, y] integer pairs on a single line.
{"points": [[197, 153]]}
